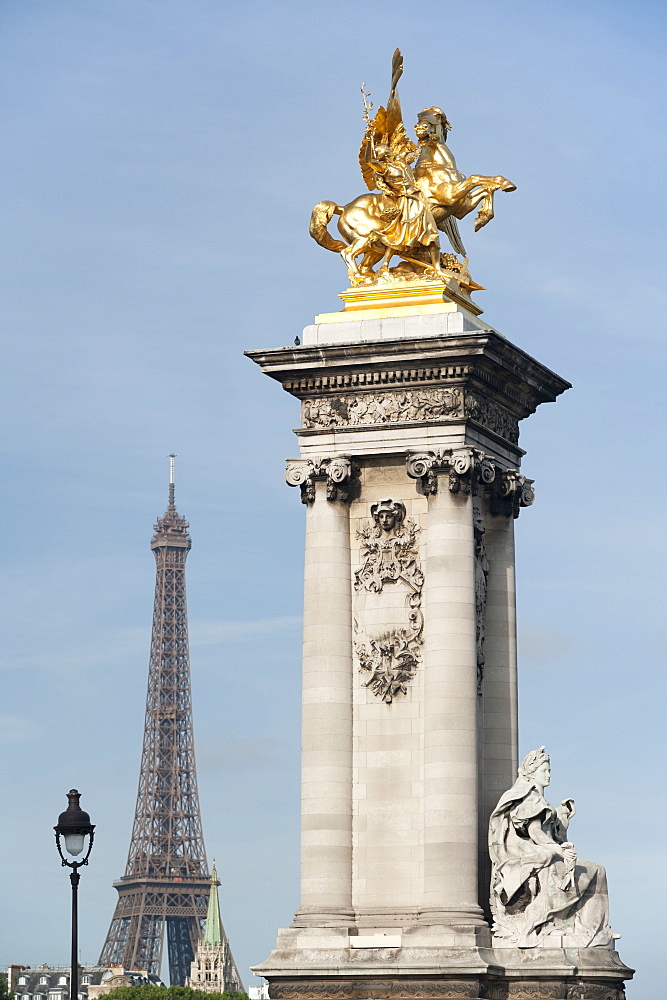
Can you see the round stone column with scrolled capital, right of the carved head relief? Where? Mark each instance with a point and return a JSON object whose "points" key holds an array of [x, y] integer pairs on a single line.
{"points": [[450, 694]]}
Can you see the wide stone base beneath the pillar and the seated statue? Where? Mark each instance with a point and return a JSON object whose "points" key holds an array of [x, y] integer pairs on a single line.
{"points": [[438, 963]]}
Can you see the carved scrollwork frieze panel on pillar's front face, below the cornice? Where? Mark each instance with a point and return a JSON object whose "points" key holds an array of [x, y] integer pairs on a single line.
{"points": [[353, 409]]}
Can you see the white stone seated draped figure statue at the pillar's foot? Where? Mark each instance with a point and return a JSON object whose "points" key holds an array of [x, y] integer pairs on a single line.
{"points": [[542, 894]]}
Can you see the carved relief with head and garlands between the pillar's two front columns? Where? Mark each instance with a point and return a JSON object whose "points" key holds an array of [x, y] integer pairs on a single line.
{"points": [[390, 566]]}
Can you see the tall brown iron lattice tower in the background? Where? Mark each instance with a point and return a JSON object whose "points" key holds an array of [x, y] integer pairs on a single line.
{"points": [[166, 879]]}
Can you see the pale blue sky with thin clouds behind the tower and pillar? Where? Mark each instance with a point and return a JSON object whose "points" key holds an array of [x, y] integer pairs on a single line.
{"points": [[159, 166]]}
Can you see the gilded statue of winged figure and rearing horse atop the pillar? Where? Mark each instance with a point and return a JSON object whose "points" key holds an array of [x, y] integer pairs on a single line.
{"points": [[418, 192]]}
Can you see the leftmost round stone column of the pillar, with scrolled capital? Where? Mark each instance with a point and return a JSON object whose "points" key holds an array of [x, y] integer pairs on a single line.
{"points": [[326, 756]]}
